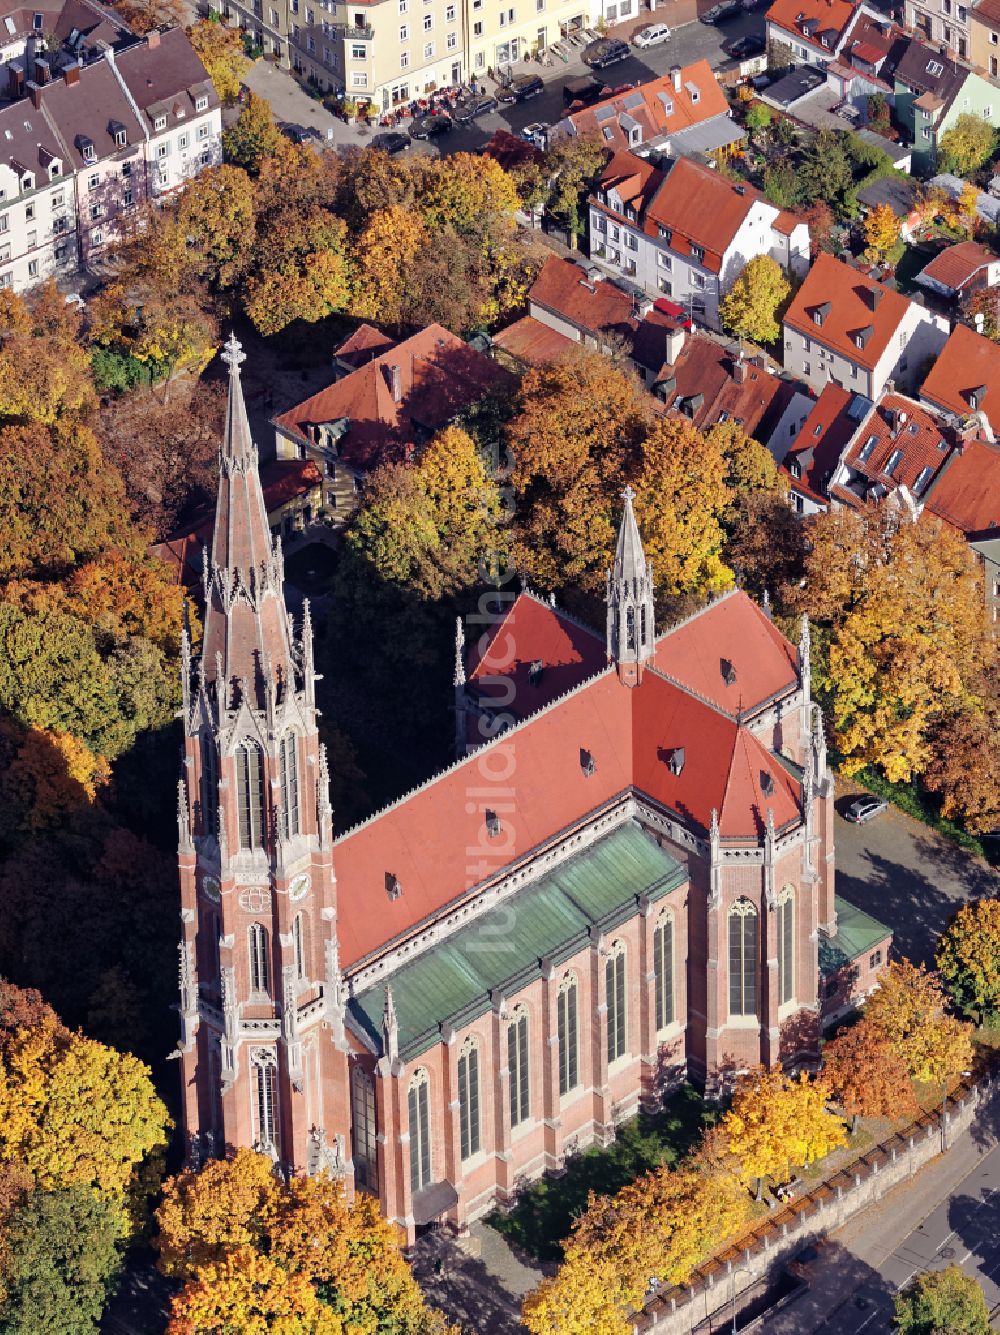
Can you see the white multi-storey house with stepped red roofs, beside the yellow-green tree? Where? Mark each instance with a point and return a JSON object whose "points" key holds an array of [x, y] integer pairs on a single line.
{"points": [[688, 234]]}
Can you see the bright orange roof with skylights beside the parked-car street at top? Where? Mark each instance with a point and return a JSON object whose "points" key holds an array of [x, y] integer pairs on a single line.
{"points": [[658, 107]]}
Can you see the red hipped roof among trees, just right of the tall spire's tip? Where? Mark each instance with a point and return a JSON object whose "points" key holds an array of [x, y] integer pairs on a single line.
{"points": [[440, 377]]}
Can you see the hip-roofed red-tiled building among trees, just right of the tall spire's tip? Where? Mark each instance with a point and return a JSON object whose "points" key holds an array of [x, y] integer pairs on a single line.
{"points": [[385, 409]]}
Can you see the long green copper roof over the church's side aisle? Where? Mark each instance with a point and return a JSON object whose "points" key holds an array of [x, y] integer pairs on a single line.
{"points": [[549, 919]]}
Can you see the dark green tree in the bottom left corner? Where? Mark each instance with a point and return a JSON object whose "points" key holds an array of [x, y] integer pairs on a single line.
{"points": [[59, 1260]]}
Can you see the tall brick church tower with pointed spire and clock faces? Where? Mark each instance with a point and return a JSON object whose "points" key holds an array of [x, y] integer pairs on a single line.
{"points": [[262, 1051]]}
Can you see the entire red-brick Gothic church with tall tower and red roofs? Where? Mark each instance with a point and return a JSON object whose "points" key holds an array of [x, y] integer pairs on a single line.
{"points": [[624, 880]]}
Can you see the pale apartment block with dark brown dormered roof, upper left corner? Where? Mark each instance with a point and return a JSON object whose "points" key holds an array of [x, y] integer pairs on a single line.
{"points": [[82, 153]]}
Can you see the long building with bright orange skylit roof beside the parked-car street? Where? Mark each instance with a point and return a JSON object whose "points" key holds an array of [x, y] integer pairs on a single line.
{"points": [[682, 114]]}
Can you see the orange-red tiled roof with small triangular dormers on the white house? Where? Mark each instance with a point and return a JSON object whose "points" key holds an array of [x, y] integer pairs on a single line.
{"points": [[848, 294]]}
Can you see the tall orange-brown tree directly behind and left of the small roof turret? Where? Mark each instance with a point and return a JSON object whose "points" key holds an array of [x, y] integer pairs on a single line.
{"points": [[575, 443]]}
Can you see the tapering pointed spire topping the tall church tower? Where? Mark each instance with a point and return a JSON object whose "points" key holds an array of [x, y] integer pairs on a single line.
{"points": [[246, 632]]}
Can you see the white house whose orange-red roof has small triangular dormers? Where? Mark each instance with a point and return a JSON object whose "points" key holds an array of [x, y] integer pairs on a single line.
{"points": [[850, 329]]}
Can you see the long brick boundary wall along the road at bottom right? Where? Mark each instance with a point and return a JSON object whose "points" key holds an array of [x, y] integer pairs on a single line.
{"points": [[759, 1254]]}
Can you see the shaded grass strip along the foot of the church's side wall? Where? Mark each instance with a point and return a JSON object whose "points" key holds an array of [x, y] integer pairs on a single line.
{"points": [[545, 1212]]}
